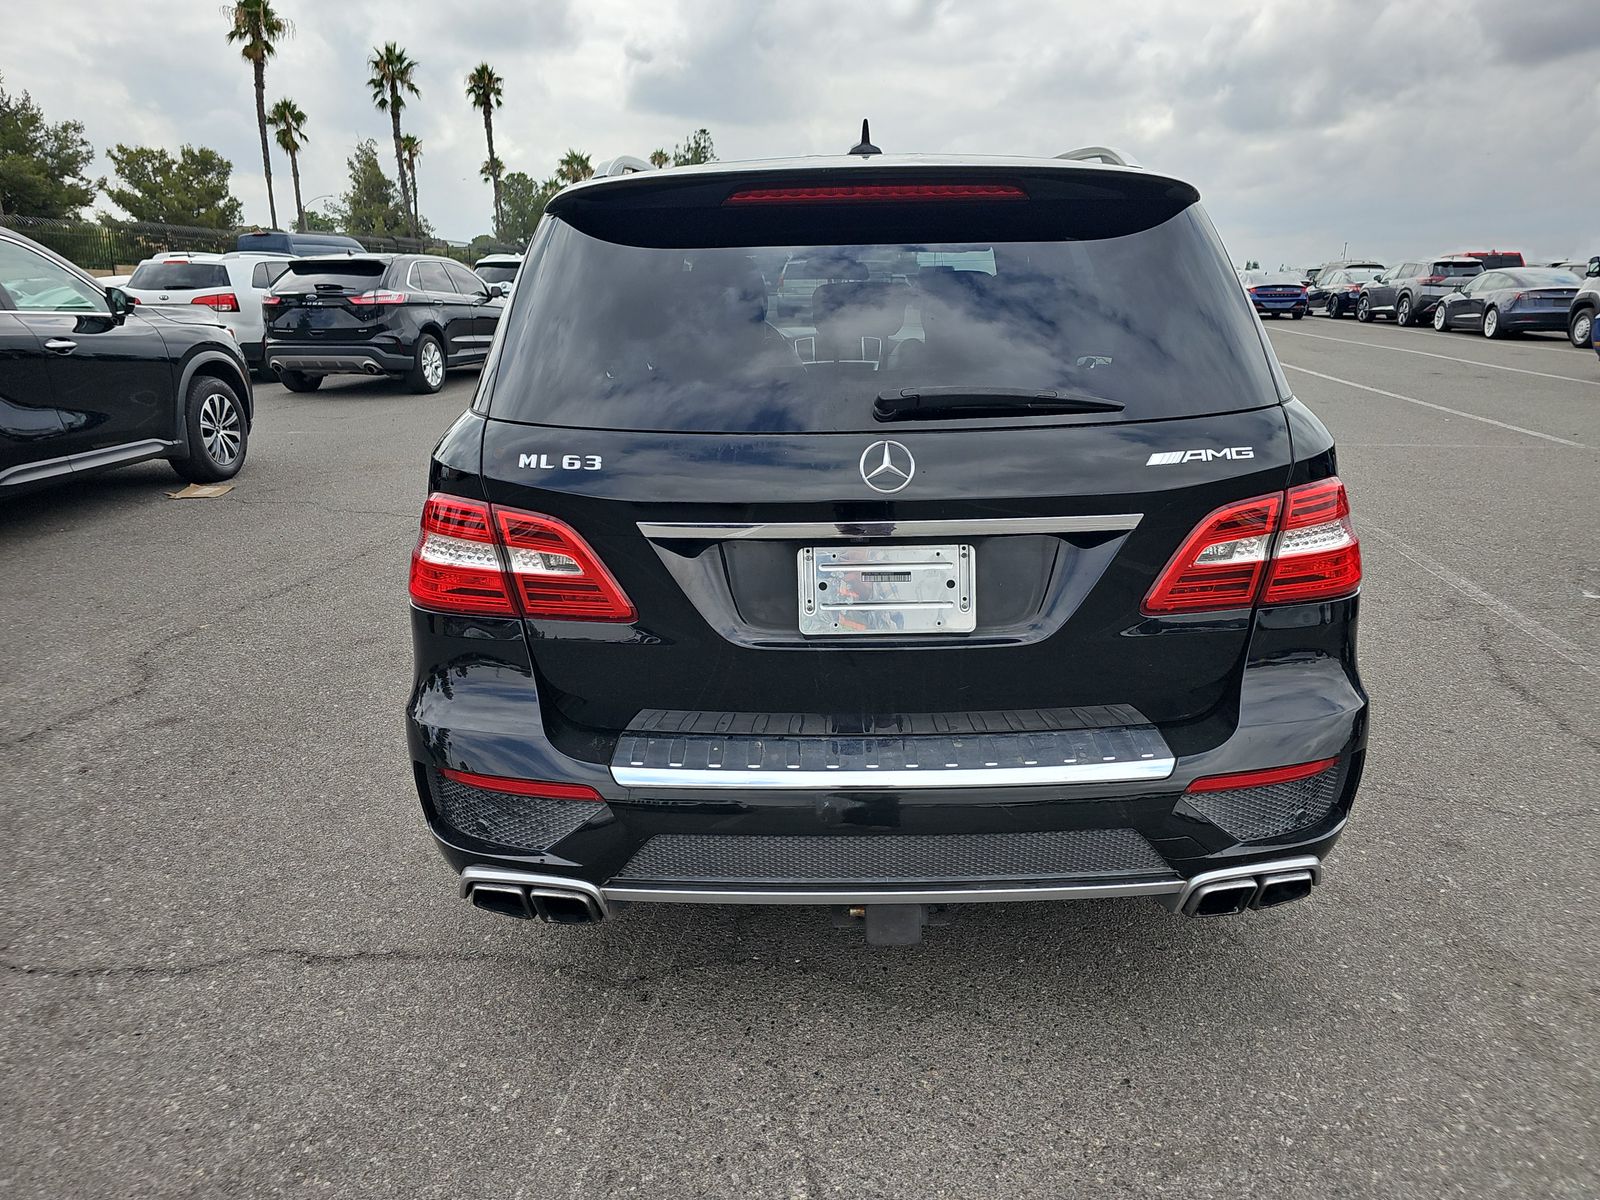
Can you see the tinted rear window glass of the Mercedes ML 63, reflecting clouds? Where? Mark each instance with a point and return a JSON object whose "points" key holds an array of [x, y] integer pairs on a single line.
{"points": [[772, 338]]}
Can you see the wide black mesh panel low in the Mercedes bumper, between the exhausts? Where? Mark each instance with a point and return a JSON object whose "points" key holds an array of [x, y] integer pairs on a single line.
{"points": [[894, 858]]}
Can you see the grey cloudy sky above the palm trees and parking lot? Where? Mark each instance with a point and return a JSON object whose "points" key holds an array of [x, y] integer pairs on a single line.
{"points": [[1401, 127]]}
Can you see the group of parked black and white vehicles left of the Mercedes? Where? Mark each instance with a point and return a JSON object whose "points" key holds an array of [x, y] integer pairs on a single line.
{"points": [[102, 374]]}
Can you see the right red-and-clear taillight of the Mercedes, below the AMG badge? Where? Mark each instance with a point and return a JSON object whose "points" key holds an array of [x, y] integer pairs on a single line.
{"points": [[1284, 548]]}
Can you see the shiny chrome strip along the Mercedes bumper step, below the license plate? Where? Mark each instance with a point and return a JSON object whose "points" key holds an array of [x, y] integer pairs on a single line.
{"points": [[1142, 770]]}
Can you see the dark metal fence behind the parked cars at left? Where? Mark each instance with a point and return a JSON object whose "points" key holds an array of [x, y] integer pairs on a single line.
{"points": [[111, 246]]}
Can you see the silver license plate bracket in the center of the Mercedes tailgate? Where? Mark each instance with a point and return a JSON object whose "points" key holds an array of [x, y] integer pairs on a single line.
{"points": [[887, 591]]}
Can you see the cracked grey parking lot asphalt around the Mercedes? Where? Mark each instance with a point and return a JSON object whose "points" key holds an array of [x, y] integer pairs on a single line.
{"points": [[234, 966]]}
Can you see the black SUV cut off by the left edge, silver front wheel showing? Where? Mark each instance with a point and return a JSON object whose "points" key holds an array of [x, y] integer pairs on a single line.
{"points": [[89, 382]]}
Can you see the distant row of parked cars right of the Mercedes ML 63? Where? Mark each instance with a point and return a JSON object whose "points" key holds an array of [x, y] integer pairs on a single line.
{"points": [[1495, 294]]}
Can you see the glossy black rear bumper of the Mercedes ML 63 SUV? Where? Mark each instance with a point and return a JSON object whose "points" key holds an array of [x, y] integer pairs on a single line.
{"points": [[898, 844]]}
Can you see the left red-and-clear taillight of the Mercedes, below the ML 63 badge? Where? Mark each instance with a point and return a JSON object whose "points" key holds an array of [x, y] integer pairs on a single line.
{"points": [[502, 562]]}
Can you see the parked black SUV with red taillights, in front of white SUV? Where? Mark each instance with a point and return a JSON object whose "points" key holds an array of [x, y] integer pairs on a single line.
{"points": [[406, 316]]}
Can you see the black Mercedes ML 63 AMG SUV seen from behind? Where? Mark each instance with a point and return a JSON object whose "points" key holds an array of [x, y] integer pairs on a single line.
{"points": [[1001, 567]]}
